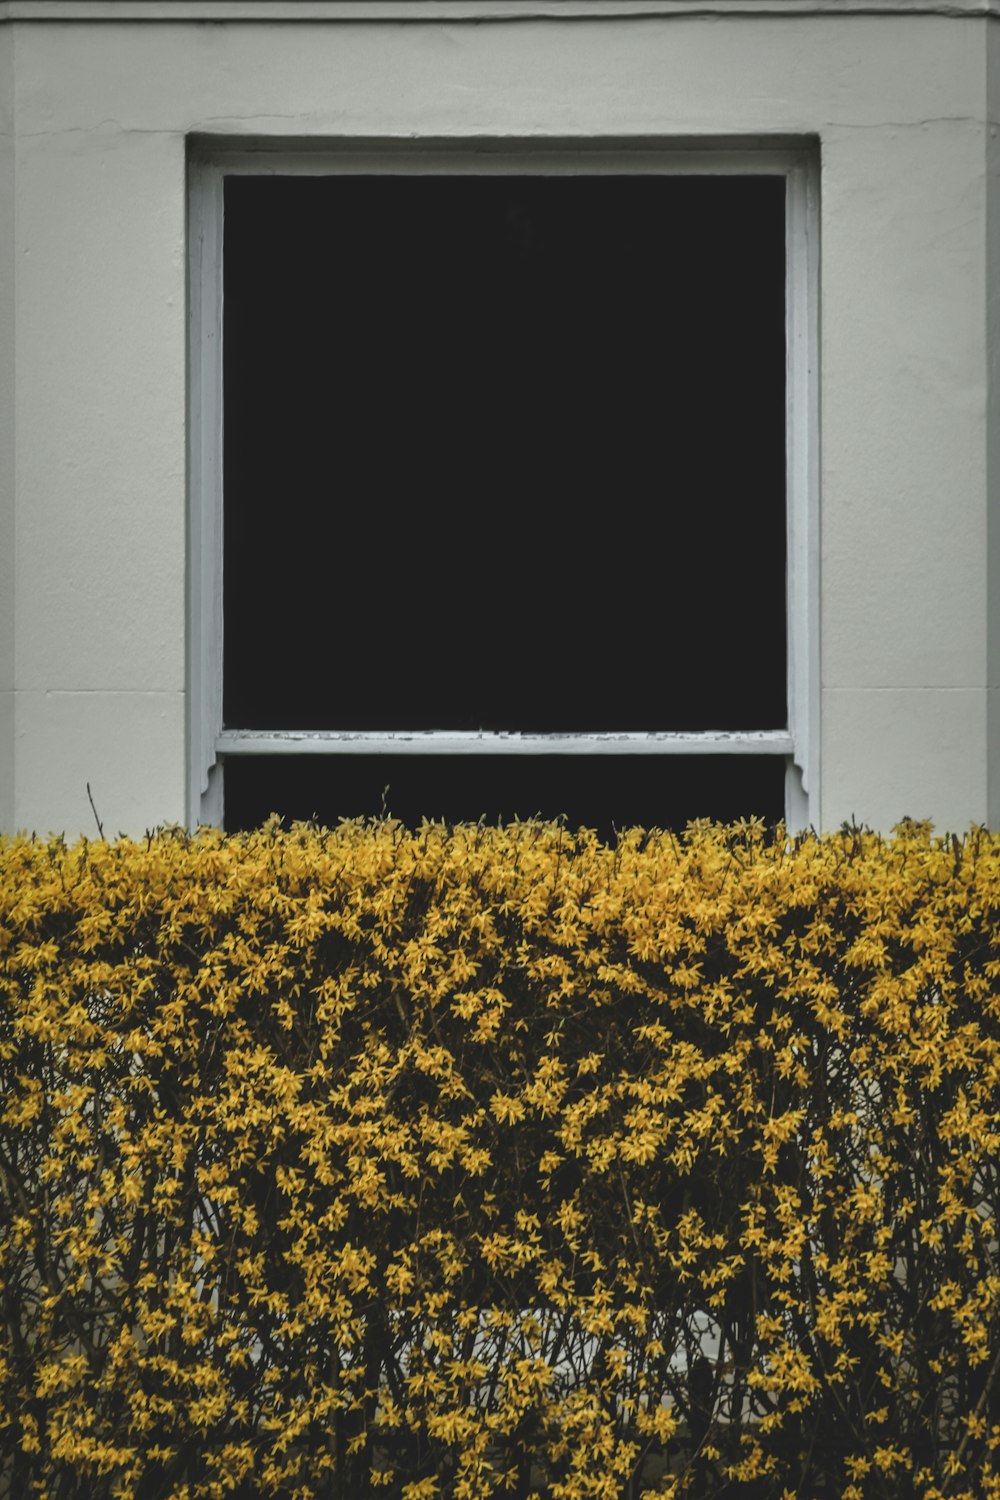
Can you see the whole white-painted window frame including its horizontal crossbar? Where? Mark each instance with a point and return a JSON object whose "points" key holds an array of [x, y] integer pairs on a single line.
{"points": [[209, 743]]}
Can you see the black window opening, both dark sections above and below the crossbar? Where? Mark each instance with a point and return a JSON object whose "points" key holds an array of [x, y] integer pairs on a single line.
{"points": [[504, 454]]}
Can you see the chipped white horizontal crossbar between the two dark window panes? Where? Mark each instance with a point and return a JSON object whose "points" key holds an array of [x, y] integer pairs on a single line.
{"points": [[436, 742]]}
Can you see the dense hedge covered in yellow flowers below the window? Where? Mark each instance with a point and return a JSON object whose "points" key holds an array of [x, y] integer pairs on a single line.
{"points": [[499, 1162]]}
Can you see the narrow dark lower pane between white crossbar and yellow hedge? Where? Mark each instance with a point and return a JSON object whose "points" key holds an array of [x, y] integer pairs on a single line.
{"points": [[603, 793]]}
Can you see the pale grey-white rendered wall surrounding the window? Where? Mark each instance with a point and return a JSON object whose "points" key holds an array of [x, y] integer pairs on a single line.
{"points": [[909, 637]]}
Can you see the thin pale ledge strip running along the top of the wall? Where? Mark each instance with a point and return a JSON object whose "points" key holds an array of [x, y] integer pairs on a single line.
{"points": [[290, 11]]}
